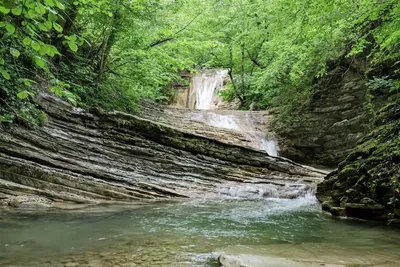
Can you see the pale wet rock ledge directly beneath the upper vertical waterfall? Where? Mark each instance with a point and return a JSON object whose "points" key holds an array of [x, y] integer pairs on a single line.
{"points": [[244, 128]]}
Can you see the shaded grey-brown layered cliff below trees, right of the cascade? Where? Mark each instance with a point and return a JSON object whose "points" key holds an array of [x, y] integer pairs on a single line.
{"points": [[333, 122]]}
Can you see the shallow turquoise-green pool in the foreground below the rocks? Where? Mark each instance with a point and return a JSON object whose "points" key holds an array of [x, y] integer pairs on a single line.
{"points": [[192, 233]]}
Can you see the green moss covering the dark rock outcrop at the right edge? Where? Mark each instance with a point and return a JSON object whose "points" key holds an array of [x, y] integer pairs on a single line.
{"points": [[372, 169]]}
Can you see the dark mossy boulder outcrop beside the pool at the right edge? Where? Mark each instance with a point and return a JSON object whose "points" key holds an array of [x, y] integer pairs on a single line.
{"points": [[367, 184]]}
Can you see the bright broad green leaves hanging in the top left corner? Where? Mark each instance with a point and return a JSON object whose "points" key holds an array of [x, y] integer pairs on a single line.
{"points": [[31, 23]]}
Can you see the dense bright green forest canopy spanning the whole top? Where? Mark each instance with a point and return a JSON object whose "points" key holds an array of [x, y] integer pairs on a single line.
{"points": [[110, 53]]}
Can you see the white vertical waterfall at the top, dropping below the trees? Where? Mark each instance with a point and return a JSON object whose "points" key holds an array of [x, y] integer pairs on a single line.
{"points": [[205, 85]]}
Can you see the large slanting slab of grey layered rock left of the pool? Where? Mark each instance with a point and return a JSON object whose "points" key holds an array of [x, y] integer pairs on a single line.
{"points": [[98, 157]]}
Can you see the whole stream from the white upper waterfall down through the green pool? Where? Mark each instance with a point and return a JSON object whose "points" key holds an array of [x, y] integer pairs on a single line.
{"points": [[247, 219]]}
